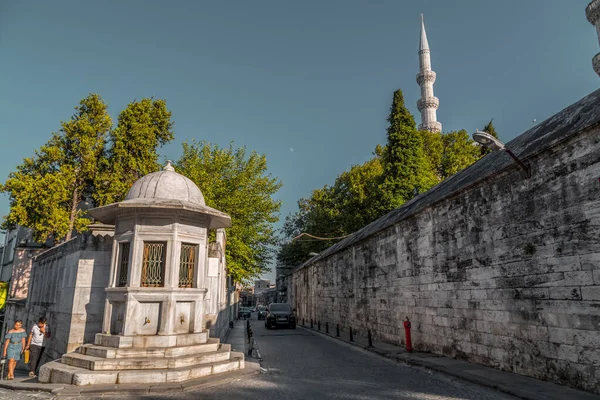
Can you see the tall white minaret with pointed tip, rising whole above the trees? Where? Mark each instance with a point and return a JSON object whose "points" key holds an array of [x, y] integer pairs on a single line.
{"points": [[428, 103]]}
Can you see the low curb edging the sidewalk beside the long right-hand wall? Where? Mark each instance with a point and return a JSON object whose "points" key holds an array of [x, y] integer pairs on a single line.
{"points": [[407, 359]]}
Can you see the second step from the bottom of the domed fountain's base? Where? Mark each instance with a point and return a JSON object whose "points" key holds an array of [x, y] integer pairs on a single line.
{"points": [[143, 363]]}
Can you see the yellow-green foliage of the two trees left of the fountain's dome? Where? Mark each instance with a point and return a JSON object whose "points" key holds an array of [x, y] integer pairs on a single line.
{"points": [[86, 163]]}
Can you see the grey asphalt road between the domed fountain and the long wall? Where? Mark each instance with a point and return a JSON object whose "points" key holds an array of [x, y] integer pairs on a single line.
{"points": [[299, 364]]}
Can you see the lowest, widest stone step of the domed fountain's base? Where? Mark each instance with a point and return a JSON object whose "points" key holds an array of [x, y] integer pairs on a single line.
{"points": [[55, 372]]}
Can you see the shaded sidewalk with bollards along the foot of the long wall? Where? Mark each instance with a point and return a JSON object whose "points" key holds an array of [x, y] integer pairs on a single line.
{"points": [[516, 385]]}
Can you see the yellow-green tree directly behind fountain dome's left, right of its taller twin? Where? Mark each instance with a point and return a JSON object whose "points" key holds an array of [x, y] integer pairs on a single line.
{"points": [[142, 127]]}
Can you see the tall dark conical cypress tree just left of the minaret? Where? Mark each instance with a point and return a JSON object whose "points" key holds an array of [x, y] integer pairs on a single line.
{"points": [[405, 168]]}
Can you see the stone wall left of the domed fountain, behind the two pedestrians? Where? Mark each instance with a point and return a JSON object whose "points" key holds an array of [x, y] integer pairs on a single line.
{"points": [[67, 286]]}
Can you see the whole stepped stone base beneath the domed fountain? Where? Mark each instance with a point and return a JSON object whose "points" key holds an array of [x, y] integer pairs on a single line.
{"points": [[143, 359]]}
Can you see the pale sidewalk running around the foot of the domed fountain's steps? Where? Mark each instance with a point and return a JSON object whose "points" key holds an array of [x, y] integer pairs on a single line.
{"points": [[236, 338]]}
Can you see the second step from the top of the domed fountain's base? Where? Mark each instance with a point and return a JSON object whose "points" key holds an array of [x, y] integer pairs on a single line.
{"points": [[213, 344]]}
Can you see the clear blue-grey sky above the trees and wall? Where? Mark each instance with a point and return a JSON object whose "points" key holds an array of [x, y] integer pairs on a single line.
{"points": [[313, 76]]}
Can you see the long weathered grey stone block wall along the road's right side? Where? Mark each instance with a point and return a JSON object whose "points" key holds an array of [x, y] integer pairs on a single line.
{"points": [[489, 266]]}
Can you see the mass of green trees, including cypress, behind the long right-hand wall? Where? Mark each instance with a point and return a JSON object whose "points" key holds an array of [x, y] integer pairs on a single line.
{"points": [[411, 162]]}
